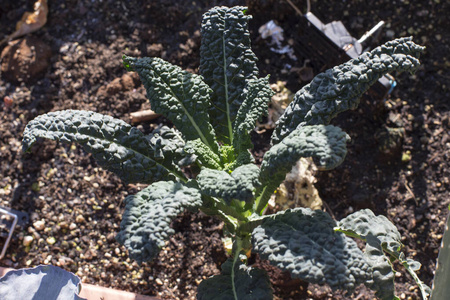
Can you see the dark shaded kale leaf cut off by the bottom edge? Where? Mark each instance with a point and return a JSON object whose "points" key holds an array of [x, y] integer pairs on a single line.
{"points": [[249, 284]]}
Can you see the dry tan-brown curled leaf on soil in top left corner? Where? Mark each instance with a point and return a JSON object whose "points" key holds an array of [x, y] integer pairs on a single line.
{"points": [[31, 21]]}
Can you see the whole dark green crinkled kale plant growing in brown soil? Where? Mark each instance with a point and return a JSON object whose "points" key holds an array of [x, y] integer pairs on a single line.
{"points": [[213, 114]]}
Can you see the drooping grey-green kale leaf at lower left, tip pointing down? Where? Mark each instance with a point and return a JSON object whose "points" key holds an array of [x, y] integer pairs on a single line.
{"points": [[146, 221]]}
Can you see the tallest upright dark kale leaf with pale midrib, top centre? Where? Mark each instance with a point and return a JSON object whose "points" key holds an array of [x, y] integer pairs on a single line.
{"points": [[226, 63]]}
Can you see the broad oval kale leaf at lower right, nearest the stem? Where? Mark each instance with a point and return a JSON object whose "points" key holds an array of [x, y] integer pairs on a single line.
{"points": [[303, 242]]}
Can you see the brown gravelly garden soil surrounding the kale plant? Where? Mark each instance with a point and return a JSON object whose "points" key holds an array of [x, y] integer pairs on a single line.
{"points": [[75, 207]]}
